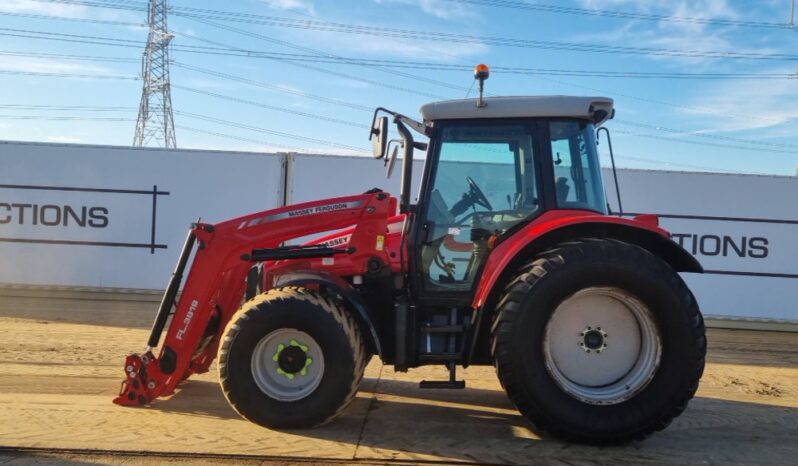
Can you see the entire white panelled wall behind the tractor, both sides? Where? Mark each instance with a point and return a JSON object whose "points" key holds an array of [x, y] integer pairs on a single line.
{"points": [[96, 216]]}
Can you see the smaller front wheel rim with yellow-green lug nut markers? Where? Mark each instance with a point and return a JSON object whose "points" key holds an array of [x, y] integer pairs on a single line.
{"points": [[287, 364]]}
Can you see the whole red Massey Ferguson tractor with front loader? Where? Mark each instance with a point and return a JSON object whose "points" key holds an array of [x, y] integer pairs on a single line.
{"points": [[509, 257]]}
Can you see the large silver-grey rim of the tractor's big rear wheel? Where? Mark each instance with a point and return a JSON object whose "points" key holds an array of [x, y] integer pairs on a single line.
{"points": [[602, 345]]}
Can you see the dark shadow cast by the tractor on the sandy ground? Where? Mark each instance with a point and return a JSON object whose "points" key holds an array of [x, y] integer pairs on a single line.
{"points": [[400, 421]]}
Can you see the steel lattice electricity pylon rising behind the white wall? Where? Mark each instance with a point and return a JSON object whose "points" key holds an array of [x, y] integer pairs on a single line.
{"points": [[155, 122]]}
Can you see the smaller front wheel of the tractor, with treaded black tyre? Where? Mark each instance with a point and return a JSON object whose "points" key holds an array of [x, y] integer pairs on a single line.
{"points": [[291, 358]]}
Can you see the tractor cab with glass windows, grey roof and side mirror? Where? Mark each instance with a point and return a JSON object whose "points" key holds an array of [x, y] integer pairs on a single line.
{"points": [[493, 165]]}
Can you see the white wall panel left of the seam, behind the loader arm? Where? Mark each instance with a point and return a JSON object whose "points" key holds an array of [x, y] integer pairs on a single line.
{"points": [[95, 216]]}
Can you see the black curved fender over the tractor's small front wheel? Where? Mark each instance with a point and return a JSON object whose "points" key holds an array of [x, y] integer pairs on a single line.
{"points": [[346, 291]]}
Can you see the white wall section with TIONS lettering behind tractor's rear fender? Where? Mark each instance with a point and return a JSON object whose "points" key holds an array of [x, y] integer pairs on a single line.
{"points": [[742, 228]]}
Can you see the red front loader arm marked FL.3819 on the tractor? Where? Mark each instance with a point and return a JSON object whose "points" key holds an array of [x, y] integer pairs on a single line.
{"points": [[216, 282]]}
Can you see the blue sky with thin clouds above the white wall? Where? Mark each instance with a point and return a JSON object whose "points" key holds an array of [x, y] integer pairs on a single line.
{"points": [[734, 125]]}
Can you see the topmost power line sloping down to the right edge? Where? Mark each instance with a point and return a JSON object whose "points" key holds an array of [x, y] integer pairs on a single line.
{"points": [[624, 14]]}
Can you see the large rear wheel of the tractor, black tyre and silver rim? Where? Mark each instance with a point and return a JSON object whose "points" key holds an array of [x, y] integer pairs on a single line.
{"points": [[598, 341]]}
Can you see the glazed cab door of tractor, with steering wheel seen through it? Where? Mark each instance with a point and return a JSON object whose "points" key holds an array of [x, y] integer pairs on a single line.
{"points": [[482, 178]]}
